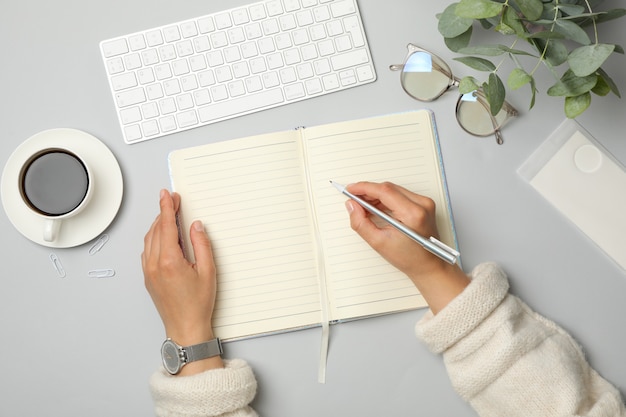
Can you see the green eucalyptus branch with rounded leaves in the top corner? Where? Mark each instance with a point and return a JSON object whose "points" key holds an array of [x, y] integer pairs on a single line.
{"points": [[550, 27]]}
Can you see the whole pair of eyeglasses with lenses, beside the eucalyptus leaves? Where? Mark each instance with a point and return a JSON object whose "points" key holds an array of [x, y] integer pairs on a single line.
{"points": [[426, 77]]}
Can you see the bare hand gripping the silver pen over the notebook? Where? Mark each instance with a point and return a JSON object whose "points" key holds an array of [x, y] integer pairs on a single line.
{"points": [[439, 281]]}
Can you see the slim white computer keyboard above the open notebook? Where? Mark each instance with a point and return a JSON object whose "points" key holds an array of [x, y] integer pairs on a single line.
{"points": [[234, 62]]}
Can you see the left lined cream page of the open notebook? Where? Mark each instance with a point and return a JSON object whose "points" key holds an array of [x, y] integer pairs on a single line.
{"points": [[251, 197]]}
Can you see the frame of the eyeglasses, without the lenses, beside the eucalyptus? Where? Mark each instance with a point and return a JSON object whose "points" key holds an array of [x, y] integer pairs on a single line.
{"points": [[453, 81]]}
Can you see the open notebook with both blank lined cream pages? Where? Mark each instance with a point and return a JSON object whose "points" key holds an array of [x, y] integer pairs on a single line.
{"points": [[285, 253]]}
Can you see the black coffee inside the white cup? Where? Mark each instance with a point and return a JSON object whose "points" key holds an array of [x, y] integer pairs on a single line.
{"points": [[54, 182]]}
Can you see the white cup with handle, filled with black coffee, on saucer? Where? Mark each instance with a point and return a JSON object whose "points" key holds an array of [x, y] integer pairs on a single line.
{"points": [[55, 184]]}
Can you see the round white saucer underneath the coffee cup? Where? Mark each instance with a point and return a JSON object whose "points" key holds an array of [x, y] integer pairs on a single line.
{"points": [[103, 205]]}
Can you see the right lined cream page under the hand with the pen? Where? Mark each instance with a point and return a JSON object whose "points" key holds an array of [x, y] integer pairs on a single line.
{"points": [[399, 148]]}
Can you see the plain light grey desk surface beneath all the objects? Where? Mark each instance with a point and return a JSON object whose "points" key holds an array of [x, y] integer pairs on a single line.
{"points": [[86, 347]]}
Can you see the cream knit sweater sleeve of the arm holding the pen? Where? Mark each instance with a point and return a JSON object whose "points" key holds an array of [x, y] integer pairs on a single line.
{"points": [[506, 360]]}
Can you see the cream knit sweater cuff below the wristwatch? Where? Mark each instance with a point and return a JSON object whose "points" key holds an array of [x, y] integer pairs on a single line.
{"points": [[219, 392]]}
